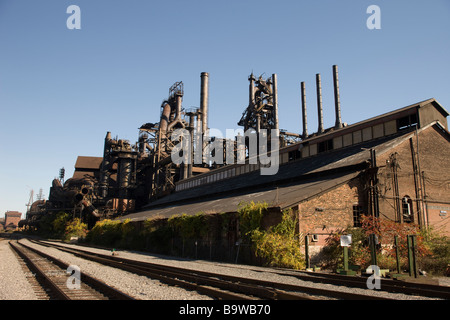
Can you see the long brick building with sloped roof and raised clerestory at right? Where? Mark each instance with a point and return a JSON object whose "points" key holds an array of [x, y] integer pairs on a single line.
{"points": [[394, 166]]}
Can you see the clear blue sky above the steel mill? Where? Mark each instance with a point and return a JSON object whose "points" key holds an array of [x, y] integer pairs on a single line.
{"points": [[61, 90]]}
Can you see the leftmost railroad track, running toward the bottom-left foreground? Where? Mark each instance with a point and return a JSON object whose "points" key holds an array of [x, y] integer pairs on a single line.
{"points": [[56, 284]]}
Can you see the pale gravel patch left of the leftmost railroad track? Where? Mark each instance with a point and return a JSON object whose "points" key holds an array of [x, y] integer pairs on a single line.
{"points": [[13, 282]]}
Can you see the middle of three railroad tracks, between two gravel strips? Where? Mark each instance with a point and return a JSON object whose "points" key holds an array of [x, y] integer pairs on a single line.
{"points": [[216, 285]]}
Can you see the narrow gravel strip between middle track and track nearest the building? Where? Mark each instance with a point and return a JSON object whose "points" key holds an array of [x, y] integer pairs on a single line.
{"points": [[241, 270]]}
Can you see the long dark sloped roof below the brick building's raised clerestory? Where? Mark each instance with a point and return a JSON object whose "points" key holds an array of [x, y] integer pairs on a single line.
{"points": [[295, 182]]}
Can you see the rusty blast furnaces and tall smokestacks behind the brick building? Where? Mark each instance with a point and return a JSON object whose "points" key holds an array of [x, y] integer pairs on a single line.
{"points": [[129, 176]]}
